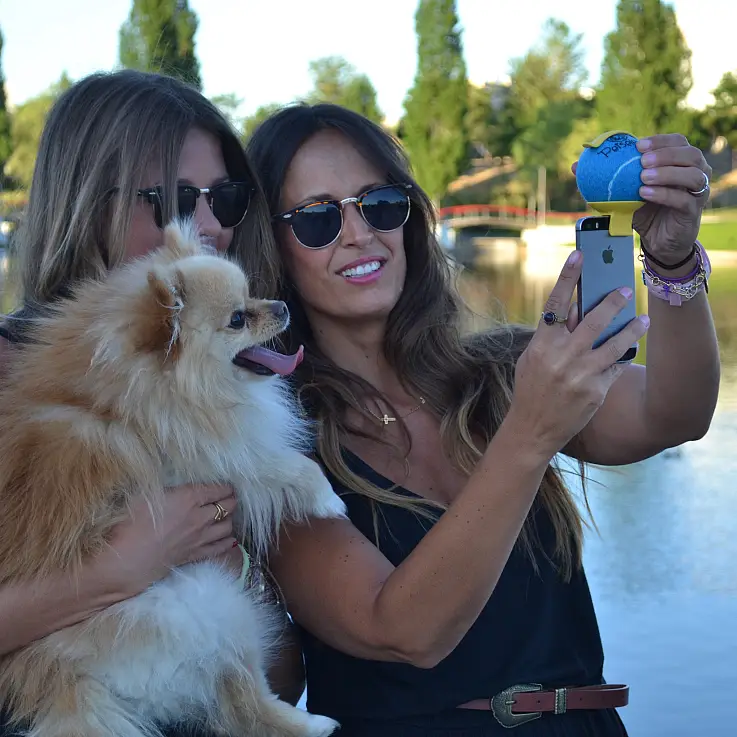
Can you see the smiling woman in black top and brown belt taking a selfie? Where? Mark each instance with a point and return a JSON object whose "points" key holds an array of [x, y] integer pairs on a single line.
{"points": [[453, 600]]}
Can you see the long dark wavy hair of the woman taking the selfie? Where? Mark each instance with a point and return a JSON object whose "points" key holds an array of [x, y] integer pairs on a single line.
{"points": [[465, 379]]}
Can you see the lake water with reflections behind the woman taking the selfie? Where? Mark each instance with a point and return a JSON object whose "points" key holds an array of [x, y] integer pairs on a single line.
{"points": [[663, 565]]}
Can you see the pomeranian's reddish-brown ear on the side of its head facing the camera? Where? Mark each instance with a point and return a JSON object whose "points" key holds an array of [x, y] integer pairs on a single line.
{"points": [[159, 328]]}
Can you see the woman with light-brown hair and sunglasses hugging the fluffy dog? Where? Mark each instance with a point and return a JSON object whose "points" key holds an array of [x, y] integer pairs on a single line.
{"points": [[119, 155]]}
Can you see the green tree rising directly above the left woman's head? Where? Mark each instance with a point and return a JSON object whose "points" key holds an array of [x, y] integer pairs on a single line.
{"points": [[159, 37]]}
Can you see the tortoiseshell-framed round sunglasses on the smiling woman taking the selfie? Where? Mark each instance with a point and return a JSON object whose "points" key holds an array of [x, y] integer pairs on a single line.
{"points": [[319, 224]]}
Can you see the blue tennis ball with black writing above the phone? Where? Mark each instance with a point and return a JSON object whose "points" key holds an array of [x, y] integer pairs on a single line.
{"points": [[610, 171]]}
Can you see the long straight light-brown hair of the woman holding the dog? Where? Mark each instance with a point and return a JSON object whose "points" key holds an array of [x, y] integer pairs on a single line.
{"points": [[99, 137]]}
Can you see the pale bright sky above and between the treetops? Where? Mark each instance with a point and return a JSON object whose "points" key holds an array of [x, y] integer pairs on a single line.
{"points": [[260, 49]]}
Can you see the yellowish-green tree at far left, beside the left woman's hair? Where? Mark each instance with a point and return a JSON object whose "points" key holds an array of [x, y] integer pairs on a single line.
{"points": [[27, 126]]}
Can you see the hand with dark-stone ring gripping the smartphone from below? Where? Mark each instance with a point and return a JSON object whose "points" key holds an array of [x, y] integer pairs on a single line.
{"points": [[560, 380]]}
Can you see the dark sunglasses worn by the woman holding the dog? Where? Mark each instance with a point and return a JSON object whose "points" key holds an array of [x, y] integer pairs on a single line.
{"points": [[228, 201]]}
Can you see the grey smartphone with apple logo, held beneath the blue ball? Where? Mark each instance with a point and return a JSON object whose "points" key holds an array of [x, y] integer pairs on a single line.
{"points": [[608, 264]]}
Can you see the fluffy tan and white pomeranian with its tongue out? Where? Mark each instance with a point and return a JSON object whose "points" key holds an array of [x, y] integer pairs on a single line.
{"points": [[154, 377]]}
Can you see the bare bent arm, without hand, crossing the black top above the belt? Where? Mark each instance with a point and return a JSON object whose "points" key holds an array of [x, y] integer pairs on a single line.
{"points": [[340, 586]]}
